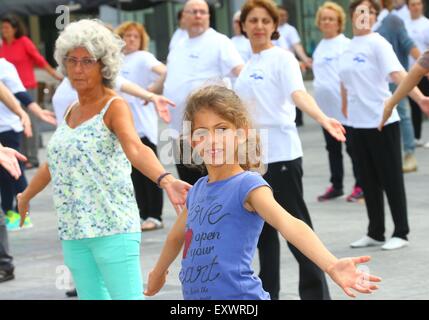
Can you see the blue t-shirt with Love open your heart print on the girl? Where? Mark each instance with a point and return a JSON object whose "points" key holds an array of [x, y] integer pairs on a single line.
{"points": [[220, 241]]}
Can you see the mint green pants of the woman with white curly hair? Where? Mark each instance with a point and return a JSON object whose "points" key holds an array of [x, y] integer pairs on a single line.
{"points": [[106, 268]]}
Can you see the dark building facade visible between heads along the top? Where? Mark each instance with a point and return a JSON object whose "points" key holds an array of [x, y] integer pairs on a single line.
{"points": [[160, 22]]}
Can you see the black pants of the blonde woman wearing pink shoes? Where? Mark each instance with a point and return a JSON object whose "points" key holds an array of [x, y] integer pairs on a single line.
{"points": [[335, 155]]}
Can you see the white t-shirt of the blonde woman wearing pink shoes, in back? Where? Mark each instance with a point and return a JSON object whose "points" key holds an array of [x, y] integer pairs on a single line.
{"points": [[327, 82]]}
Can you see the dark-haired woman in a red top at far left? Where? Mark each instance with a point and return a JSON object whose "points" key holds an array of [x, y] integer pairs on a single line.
{"points": [[19, 50]]}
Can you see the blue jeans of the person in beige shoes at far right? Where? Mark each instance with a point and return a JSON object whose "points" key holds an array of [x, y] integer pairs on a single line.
{"points": [[406, 125]]}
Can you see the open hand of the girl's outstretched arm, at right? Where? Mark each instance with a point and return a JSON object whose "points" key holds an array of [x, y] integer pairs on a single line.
{"points": [[347, 276]]}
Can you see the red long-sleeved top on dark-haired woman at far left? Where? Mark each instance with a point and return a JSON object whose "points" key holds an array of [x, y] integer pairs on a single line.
{"points": [[23, 54]]}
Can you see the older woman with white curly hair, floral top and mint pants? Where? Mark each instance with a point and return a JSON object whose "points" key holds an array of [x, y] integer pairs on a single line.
{"points": [[89, 159]]}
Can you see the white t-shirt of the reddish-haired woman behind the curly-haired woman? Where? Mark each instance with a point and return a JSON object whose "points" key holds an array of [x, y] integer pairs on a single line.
{"points": [[137, 68]]}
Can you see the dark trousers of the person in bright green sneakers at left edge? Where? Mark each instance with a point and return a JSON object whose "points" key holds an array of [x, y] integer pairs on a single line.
{"points": [[9, 187]]}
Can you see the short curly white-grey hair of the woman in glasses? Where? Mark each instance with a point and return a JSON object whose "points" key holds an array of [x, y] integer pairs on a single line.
{"points": [[100, 42]]}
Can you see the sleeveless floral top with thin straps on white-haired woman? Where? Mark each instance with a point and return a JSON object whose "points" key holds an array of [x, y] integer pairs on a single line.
{"points": [[92, 188]]}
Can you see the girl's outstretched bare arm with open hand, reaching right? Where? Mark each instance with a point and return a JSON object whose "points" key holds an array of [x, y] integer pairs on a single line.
{"points": [[342, 271]]}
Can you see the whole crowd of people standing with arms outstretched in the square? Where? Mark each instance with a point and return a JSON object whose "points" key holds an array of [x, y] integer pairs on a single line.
{"points": [[214, 92]]}
